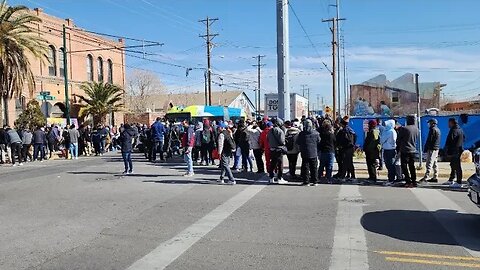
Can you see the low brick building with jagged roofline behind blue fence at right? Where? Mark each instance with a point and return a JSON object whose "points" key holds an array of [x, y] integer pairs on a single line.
{"points": [[399, 95]]}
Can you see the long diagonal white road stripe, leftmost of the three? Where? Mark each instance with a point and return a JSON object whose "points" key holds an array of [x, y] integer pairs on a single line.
{"points": [[170, 250]]}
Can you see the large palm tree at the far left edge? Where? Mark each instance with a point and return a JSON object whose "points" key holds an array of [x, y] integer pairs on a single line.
{"points": [[17, 42]]}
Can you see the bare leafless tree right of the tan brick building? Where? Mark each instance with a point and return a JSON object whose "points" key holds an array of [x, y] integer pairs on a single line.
{"points": [[141, 86]]}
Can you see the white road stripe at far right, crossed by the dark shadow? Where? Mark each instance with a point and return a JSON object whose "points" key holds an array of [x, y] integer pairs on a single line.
{"points": [[435, 201]]}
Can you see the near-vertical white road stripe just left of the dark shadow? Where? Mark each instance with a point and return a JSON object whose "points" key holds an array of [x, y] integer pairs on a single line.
{"points": [[349, 242]]}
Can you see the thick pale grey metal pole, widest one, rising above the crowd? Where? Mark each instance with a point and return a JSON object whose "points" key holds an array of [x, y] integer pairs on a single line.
{"points": [[283, 67]]}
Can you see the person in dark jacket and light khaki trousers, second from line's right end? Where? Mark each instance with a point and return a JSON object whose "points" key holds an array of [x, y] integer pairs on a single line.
{"points": [[432, 147]]}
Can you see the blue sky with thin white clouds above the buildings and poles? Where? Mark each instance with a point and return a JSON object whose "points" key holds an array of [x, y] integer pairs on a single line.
{"points": [[439, 39]]}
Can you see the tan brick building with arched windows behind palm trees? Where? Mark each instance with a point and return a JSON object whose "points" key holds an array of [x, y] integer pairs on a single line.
{"points": [[90, 58]]}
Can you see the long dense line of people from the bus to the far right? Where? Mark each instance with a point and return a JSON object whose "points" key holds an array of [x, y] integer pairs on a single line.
{"points": [[319, 142]]}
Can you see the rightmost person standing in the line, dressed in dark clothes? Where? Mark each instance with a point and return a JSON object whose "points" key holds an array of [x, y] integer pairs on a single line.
{"points": [[454, 149]]}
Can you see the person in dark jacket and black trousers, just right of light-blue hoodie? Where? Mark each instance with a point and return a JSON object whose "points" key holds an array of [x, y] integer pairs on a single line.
{"points": [[406, 146]]}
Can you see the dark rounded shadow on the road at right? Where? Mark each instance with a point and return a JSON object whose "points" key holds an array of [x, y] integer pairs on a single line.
{"points": [[423, 226]]}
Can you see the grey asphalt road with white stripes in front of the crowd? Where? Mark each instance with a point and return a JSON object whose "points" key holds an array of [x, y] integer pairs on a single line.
{"points": [[85, 215]]}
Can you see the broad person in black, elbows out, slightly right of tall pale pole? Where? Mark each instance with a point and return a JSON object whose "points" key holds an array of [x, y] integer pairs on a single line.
{"points": [[308, 142]]}
